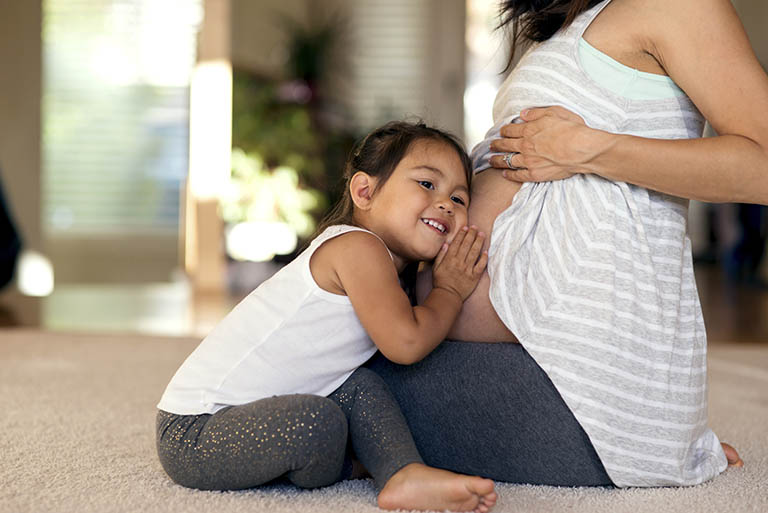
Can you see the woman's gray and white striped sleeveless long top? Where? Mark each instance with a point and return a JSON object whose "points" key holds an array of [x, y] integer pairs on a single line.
{"points": [[595, 278]]}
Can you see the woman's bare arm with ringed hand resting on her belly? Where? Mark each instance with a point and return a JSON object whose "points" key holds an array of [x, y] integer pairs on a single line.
{"points": [[703, 47]]}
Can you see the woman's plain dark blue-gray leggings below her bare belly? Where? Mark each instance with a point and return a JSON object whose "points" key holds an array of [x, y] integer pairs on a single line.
{"points": [[490, 410]]}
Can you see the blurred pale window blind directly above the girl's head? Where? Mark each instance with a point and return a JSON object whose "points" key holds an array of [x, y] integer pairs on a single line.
{"points": [[406, 59]]}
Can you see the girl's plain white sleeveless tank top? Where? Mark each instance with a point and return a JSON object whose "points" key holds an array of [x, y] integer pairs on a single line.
{"points": [[288, 336]]}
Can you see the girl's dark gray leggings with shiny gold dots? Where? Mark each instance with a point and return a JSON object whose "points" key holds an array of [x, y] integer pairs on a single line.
{"points": [[303, 438]]}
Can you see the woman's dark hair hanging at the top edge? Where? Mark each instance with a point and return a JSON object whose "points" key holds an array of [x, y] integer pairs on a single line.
{"points": [[529, 21]]}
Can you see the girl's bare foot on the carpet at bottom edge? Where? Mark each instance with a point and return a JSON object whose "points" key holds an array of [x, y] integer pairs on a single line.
{"points": [[420, 487]]}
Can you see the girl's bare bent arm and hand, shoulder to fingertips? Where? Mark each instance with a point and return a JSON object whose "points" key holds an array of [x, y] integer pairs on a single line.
{"points": [[403, 333]]}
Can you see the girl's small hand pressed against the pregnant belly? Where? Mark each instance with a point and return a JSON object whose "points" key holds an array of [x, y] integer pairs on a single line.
{"points": [[459, 266]]}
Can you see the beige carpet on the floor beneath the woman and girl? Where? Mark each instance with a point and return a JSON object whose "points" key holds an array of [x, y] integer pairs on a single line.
{"points": [[77, 419]]}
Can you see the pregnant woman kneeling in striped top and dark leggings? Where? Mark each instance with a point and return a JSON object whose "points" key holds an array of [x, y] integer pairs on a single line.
{"points": [[581, 184]]}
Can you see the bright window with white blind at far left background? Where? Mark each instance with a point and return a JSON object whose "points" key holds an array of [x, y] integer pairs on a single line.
{"points": [[115, 114]]}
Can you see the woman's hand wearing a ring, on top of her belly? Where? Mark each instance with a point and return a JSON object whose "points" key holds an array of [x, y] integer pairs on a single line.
{"points": [[553, 143]]}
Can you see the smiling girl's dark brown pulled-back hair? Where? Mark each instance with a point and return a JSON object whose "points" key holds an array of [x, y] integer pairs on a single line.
{"points": [[379, 153]]}
